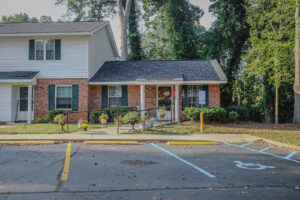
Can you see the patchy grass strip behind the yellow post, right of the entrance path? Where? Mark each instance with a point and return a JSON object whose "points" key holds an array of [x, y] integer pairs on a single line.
{"points": [[286, 133]]}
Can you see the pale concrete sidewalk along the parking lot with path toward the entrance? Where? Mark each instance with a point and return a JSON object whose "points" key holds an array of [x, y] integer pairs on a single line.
{"points": [[111, 134]]}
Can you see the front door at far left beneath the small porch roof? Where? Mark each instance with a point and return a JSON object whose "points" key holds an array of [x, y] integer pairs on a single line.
{"points": [[23, 104]]}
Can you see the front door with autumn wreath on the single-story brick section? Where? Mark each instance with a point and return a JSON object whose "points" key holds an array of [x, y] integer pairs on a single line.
{"points": [[164, 99]]}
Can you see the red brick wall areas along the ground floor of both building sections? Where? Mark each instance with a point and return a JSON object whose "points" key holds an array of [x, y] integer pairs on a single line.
{"points": [[90, 97]]}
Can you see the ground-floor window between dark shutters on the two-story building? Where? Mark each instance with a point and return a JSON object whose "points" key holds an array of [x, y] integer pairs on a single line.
{"points": [[64, 97]]}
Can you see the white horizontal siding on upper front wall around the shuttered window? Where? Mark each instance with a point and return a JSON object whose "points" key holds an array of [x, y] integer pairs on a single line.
{"points": [[14, 54]]}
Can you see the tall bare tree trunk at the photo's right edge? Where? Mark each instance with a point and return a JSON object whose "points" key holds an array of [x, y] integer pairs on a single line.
{"points": [[297, 67]]}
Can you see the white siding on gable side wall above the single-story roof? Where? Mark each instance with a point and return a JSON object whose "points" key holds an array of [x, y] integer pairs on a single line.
{"points": [[100, 50]]}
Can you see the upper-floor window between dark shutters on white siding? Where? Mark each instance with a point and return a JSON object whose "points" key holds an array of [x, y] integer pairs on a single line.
{"points": [[44, 49]]}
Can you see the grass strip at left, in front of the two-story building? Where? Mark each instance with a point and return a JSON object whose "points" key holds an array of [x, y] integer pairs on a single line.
{"points": [[42, 129]]}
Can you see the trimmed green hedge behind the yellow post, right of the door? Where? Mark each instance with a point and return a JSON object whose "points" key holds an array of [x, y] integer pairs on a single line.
{"points": [[211, 114]]}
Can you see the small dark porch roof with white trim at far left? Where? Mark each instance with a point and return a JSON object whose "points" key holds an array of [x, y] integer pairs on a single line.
{"points": [[18, 76]]}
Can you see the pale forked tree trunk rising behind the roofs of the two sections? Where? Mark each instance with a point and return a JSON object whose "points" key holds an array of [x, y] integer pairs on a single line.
{"points": [[123, 17]]}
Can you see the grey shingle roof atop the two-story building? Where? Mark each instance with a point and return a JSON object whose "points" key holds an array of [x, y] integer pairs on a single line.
{"points": [[51, 27]]}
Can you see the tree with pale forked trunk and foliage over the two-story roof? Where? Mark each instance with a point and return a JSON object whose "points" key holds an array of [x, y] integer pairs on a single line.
{"points": [[95, 10]]}
